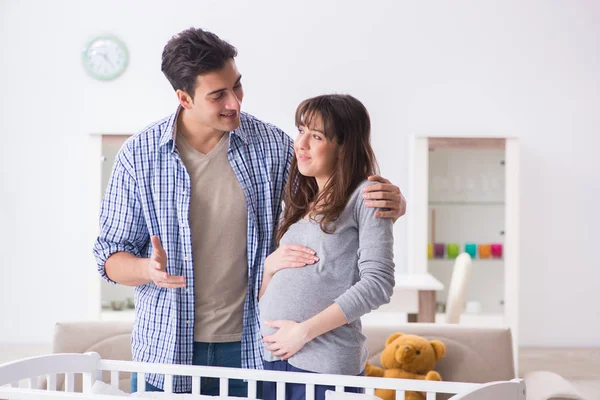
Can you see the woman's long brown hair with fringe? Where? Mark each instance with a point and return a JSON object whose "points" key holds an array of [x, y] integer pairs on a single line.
{"points": [[345, 121]]}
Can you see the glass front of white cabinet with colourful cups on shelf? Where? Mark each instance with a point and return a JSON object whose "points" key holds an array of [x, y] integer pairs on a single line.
{"points": [[466, 213]]}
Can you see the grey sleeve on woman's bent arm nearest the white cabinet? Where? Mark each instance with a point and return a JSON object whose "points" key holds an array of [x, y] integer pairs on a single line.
{"points": [[375, 265]]}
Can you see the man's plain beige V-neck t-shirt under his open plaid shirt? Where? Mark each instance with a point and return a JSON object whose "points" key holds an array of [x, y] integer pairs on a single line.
{"points": [[218, 217]]}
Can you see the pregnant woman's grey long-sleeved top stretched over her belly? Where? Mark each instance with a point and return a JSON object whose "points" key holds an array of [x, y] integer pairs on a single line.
{"points": [[355, 270]]}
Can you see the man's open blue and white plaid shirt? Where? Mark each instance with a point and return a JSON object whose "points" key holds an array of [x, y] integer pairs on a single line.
{"points": [[149, 194]]}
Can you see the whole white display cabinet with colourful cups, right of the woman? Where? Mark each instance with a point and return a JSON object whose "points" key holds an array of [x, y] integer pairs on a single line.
{"points": [[464, 194]]}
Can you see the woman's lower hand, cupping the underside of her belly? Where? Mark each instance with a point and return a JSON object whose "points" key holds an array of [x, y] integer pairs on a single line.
{"points": [[289, 339]]}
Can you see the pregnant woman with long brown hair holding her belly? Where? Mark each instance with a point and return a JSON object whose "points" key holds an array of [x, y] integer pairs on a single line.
{"points": [[310, 315]]}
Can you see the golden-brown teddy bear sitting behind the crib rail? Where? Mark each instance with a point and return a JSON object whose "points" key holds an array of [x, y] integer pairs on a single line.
{"points": [[407, 357]]}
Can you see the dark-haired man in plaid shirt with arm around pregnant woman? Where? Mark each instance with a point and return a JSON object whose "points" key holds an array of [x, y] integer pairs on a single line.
{"points": [[189, 216]]}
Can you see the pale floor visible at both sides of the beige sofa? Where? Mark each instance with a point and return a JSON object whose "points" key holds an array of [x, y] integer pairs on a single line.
{"points": [[581, 367]]}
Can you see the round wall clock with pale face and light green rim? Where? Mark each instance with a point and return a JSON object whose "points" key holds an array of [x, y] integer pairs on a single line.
{"points": [[105, 58]]}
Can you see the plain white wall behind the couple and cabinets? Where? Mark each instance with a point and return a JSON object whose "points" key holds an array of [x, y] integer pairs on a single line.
{"points": [[518, 68]]}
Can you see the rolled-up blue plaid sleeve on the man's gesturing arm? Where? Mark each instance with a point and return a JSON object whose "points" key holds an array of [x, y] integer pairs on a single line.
{"points": [[122, 225]]}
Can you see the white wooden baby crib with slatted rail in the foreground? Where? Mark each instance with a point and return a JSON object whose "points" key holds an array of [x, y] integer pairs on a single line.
{"points": [[90, 365]]}
